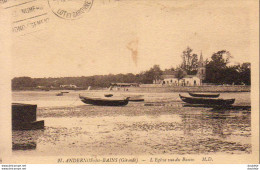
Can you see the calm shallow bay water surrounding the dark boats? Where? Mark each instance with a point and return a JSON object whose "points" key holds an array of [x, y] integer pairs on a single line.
{"points": [[74, 128]]}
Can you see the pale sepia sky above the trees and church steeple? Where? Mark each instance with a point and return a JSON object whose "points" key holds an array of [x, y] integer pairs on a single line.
{"points": [[132, 36]]}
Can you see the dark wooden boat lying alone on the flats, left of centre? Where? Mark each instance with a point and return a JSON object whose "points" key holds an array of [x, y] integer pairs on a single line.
{"points": [[104, 101]]}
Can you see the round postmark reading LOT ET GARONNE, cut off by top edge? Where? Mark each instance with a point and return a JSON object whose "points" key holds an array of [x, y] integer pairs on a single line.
{"points": [[70, 9]]}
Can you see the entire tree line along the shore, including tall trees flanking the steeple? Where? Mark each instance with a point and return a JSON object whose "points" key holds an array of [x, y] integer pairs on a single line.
{"points": [[218, 71]]}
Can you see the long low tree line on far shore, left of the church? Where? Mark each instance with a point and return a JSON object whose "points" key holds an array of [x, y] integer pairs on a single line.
{"points": [[146, 77]]}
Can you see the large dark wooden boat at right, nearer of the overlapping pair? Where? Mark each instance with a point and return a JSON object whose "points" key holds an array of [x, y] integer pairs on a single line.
{"points": [[207, 101]]}
